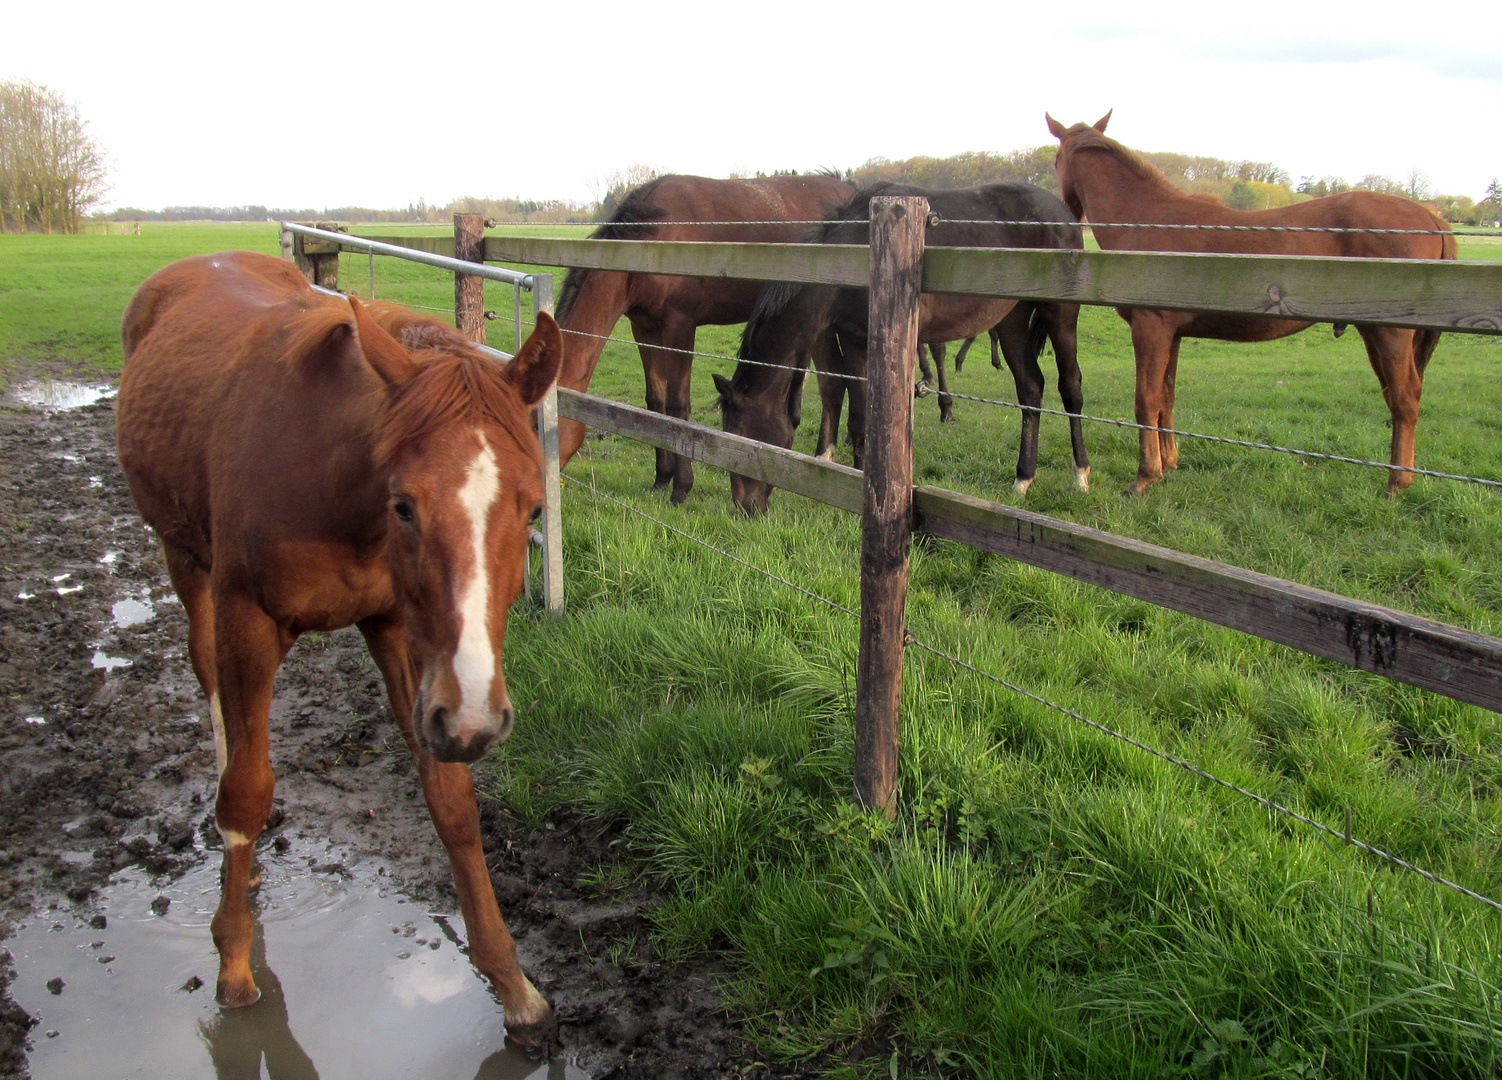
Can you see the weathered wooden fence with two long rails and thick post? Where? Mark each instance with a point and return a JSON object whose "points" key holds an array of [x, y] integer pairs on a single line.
{"points": [[1450, 297]]}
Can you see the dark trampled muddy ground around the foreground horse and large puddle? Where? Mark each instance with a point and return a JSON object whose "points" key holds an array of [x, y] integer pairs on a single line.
{"points": [[109, 762]]}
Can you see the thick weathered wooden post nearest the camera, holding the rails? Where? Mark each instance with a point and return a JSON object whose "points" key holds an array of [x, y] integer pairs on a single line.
{"points": [[887, 522]]}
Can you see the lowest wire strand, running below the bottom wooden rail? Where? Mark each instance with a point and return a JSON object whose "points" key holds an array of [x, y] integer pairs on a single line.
{"points": [[1097, 726]]}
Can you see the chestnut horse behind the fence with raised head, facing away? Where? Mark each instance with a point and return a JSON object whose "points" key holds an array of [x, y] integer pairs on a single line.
{"points": [[1105, 184]]}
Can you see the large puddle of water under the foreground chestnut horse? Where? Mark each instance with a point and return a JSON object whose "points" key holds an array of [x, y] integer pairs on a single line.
{"points": [[354, 985]]}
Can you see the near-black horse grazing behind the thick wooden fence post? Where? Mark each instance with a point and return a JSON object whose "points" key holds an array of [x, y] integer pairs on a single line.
{"points": [[830, 325]]}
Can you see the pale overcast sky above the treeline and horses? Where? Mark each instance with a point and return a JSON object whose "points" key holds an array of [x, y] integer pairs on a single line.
{"points": [[381, 104]]}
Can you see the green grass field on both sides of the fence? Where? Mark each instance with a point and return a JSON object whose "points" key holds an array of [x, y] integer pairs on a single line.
{"points": [[1049, 902]]}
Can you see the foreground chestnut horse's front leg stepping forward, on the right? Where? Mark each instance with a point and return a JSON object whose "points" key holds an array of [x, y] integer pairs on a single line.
{"points": [[450, 792]]}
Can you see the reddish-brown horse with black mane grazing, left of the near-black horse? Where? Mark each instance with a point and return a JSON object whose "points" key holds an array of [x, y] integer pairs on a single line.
{"points": [[665, 312]]}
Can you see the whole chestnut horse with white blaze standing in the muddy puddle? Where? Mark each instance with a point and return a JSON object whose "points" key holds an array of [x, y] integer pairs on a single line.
{"points": [[307, 471]]}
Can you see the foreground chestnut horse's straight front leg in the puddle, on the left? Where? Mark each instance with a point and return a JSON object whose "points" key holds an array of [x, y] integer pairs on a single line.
{"points": [[249, 650]]}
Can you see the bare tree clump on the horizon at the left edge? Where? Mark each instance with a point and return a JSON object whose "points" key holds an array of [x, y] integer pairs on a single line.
{"points": [[52, 170]]}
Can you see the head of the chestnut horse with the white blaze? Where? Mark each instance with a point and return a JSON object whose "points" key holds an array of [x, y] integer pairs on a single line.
{"points": [[465, 487]]}
